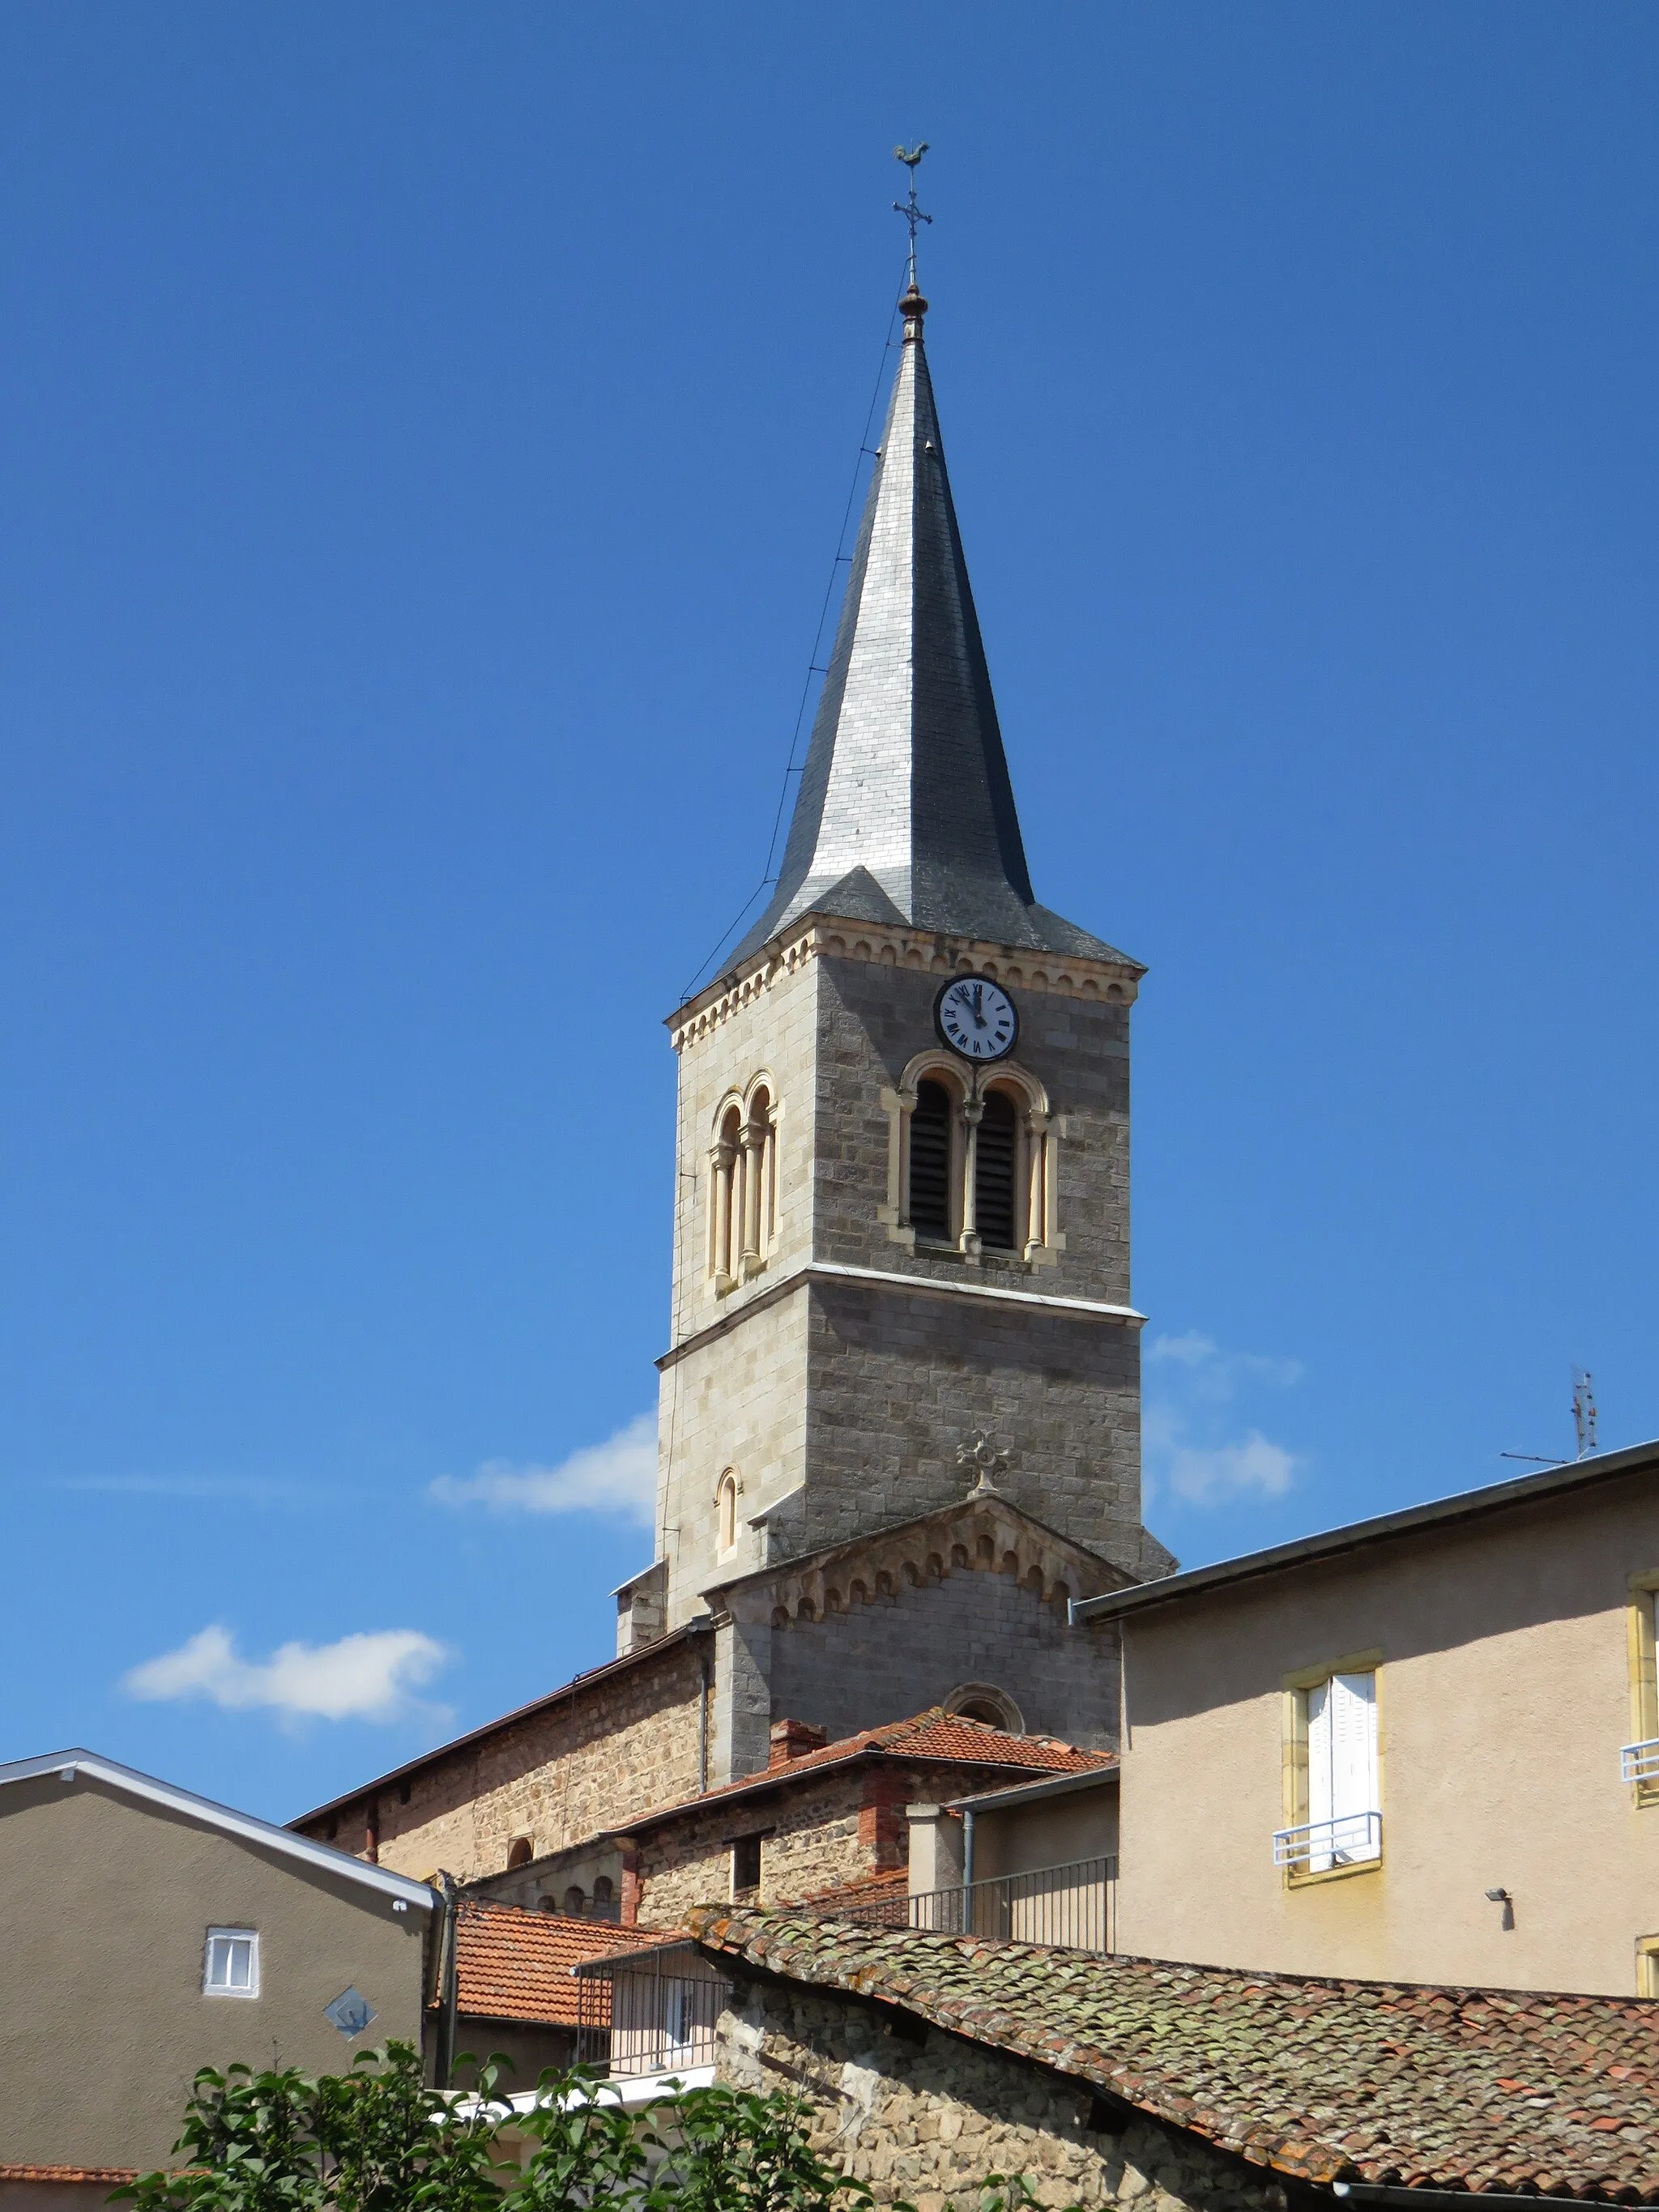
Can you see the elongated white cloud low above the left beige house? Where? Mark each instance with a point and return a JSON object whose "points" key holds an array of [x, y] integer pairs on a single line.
{"points": [[364, 1678]]}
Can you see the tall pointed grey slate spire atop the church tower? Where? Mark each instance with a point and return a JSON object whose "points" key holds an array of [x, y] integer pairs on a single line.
{"points": [[906, 811]]}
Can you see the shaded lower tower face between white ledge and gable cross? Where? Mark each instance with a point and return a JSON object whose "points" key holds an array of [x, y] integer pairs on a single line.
{"points": [[901, 1379]]}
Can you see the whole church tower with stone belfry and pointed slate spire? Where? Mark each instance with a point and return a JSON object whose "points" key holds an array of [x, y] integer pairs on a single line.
{"points": [[901, 1273]]}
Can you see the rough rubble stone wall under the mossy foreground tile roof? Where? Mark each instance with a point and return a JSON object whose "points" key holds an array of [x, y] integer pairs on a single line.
{"points": [[932, 2120]]}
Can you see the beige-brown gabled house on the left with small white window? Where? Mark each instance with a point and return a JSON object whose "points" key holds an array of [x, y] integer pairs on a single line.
{"points": [[147, 1934]]}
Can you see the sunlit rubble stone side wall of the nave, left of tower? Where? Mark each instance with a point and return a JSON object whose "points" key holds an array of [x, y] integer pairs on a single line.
{"points": [[565, 1773]]}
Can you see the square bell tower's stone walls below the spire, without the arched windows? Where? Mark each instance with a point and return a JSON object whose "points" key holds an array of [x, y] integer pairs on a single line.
{"points": [[851, 1401]]}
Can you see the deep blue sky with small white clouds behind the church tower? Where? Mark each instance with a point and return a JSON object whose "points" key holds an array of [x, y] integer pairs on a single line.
{"points": [[426, 437]]}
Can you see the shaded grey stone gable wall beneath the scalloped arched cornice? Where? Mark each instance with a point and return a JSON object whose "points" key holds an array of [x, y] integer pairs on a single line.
{"points": [[901, 1653]]}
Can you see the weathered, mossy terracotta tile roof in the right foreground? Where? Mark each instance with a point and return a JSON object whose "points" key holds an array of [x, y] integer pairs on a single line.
{"points": [[1379, 2083]]}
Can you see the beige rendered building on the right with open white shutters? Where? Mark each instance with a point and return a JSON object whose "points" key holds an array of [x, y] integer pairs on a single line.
{"points": [[1419, 1749]]}
